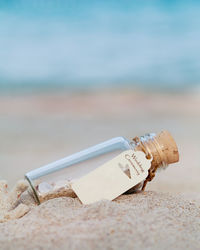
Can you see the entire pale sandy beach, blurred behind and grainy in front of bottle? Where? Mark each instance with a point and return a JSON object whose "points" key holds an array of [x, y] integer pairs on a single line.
{"points": [[40, 128]]}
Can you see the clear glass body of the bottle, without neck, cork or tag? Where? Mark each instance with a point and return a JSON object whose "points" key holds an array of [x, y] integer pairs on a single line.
{"points": [[54, 179]]}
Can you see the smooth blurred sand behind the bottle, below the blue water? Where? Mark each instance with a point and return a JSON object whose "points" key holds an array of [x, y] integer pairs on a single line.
{"points": [[38, 129]]}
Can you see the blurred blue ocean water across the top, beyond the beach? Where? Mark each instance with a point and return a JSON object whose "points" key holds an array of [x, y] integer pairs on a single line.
{"points": [[80, 44]]}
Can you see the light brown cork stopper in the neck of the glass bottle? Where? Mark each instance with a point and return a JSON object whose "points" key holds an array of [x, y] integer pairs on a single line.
{"points": [[163, 148]]}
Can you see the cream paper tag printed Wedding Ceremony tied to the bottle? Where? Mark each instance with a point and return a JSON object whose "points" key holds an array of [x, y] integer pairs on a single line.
{"points": [[109, 180]]}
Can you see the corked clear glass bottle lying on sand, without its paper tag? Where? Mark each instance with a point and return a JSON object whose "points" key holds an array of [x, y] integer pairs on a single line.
{"points": [[53, 180]]}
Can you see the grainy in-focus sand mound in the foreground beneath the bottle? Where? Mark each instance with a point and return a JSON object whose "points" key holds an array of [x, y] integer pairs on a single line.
{"points": [[138, 221]]}
